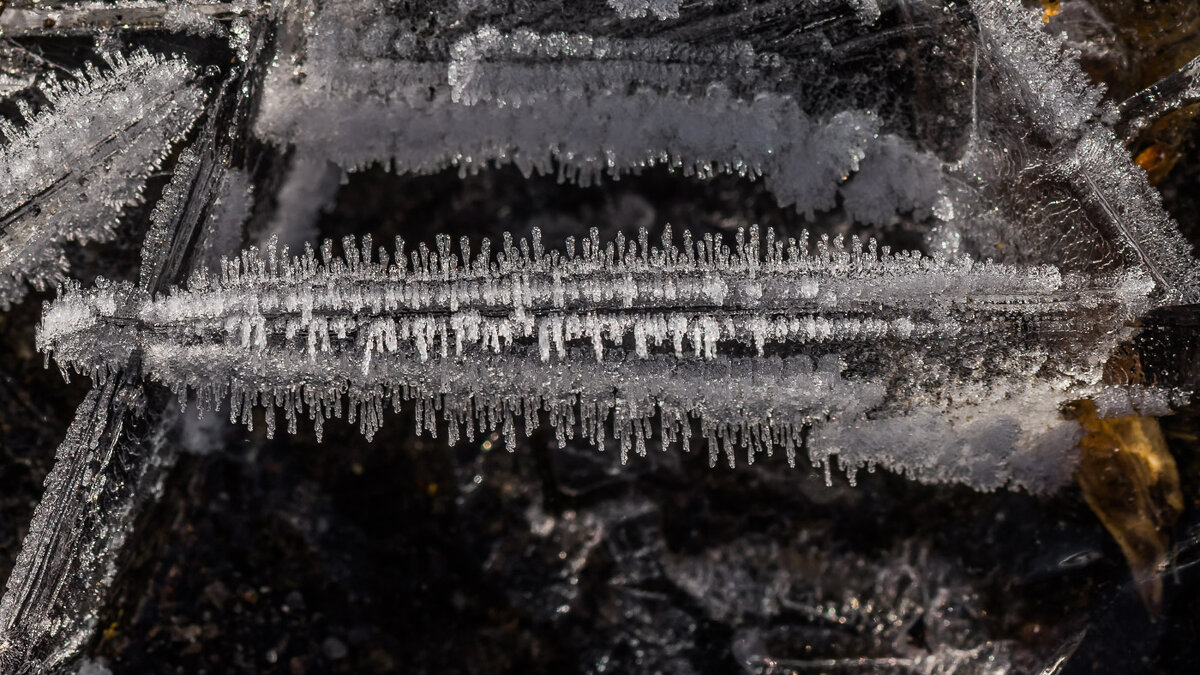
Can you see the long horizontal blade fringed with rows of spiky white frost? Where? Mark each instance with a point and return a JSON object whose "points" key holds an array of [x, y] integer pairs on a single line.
{"points": [[758, 344]]}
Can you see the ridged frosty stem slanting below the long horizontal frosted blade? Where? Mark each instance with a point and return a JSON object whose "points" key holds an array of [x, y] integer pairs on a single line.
{"points": [[110, 461]]}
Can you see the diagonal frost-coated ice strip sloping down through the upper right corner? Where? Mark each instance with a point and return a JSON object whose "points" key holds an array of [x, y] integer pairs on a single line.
{"points": [[1111, 196]]}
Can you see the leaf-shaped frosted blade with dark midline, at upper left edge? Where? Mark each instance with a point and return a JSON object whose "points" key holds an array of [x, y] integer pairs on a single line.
{"points": [[70, 171]]}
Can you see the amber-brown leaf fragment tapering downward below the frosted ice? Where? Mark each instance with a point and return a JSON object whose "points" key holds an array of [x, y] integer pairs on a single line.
{"points": [[1131, 482]]}
